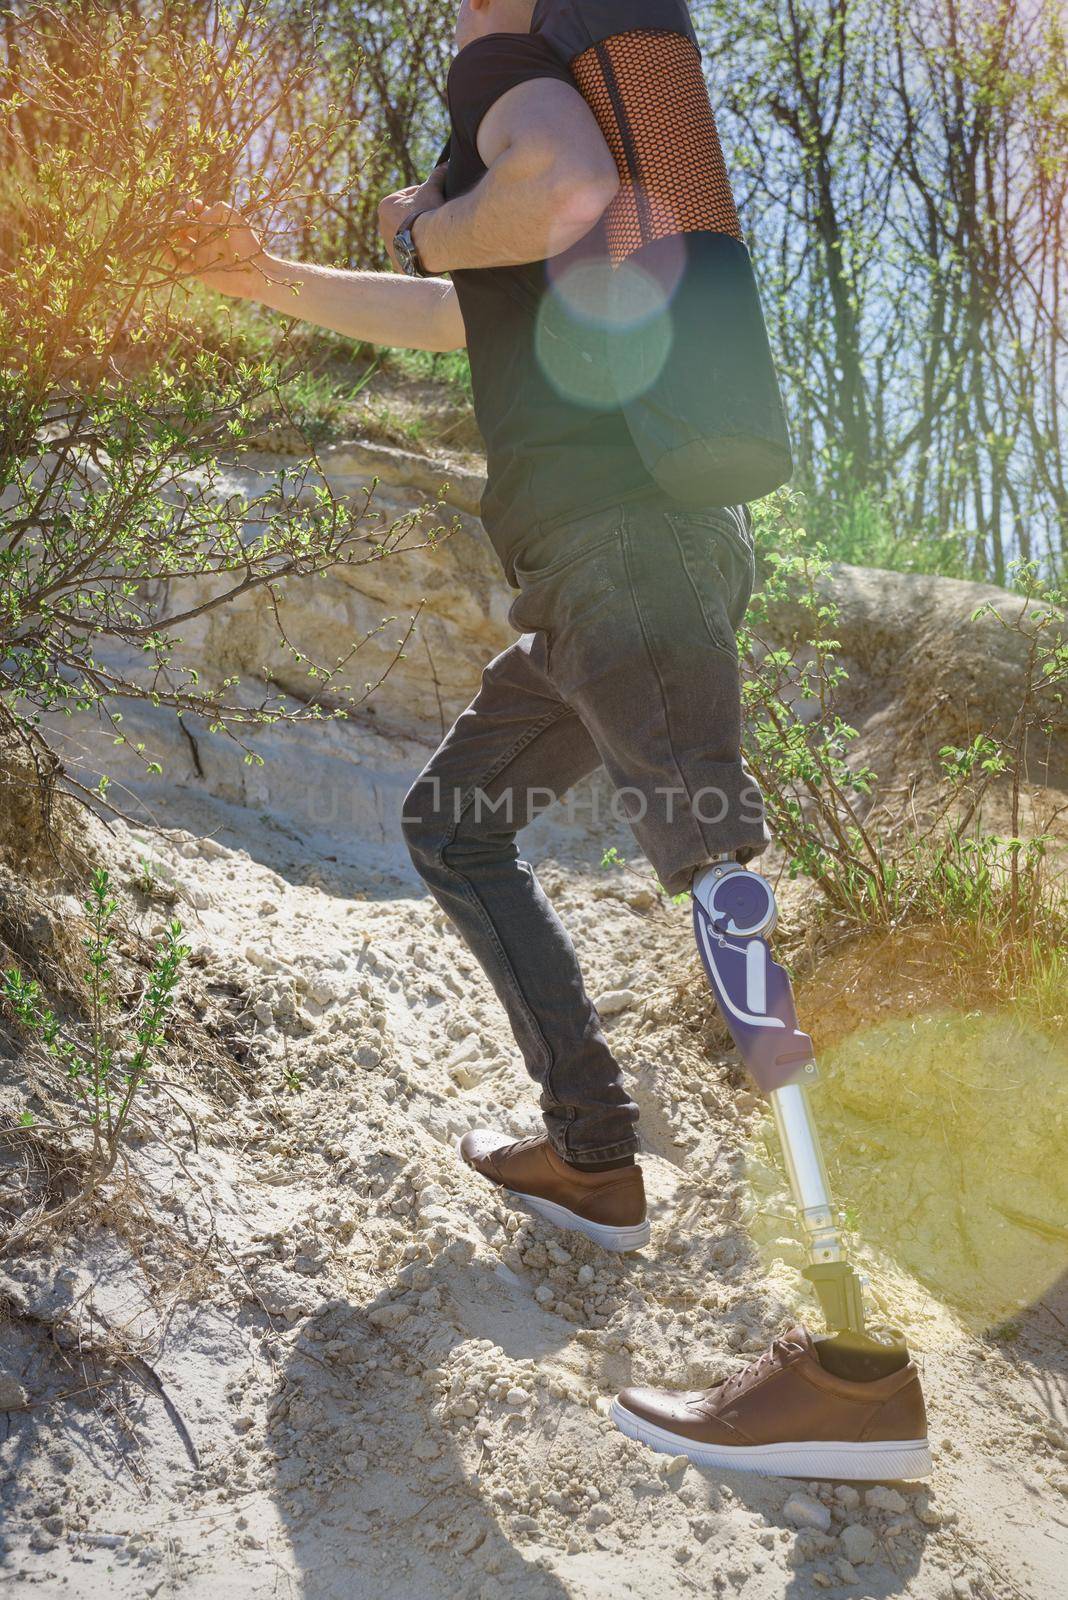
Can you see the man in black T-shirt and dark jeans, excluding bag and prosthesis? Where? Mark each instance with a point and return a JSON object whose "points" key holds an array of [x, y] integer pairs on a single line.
{"points": [[628, 609]]}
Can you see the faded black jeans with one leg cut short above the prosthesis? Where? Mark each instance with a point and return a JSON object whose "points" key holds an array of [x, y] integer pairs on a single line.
{"points": [[629, 660]]}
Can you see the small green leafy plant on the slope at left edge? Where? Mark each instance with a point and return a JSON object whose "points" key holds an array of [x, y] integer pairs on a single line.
{"points": [[105, 1062]]}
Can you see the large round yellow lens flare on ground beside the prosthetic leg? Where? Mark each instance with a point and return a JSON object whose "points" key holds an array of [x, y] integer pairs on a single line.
{"points": [[946, 1140]]}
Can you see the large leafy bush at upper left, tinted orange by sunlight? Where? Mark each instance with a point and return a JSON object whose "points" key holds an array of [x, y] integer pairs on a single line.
{"points": [[119, 410]]}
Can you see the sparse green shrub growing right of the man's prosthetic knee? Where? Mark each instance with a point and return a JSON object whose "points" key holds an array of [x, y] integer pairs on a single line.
{"points": [[874, 870]]}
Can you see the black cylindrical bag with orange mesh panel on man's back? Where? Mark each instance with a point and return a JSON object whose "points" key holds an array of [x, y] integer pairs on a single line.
{"points": [[704, 406]]}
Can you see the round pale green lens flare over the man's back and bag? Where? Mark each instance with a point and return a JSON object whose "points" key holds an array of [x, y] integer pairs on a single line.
{"points": [[604, 335]]}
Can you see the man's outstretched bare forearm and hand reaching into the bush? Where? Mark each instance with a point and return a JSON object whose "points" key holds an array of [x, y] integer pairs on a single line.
{"points": [[217, 246]]}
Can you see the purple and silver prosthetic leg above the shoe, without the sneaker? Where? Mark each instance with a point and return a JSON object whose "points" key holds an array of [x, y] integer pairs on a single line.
{"points": [[735, 914]]}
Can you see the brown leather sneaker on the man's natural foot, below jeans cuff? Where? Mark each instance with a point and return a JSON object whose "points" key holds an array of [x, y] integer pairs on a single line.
{"points": [[607, 1207]]}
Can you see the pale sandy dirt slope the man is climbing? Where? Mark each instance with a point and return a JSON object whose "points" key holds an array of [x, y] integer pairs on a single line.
{"points": [[303, 1350]]}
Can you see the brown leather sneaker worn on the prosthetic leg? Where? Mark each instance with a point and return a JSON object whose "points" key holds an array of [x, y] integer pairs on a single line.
{"points": [[786, 1414]]}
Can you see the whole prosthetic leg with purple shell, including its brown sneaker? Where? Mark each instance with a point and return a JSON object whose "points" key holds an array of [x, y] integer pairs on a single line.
{"points": [[842, 1406]]}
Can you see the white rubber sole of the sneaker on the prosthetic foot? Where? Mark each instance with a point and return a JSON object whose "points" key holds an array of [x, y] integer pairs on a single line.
{"points": [[896, 1458]]}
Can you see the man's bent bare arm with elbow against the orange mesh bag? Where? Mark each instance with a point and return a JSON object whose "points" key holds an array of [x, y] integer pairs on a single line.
{"points": [[551, 177]]}
